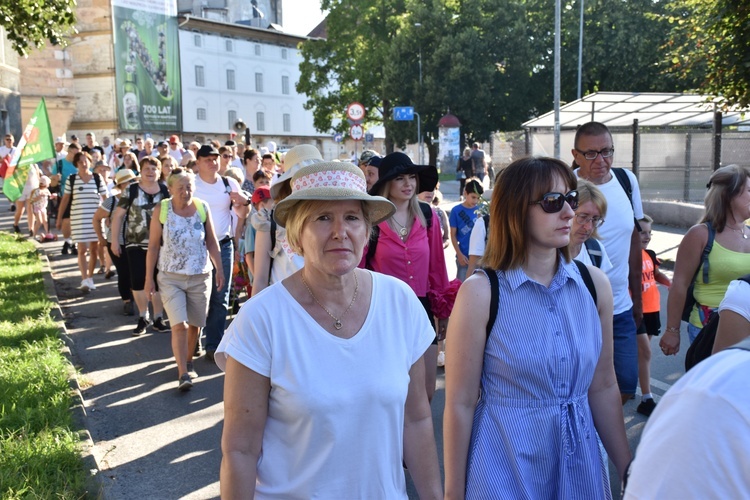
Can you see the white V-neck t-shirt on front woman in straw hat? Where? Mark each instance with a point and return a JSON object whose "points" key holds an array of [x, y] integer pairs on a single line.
{"points": [[336, 407]]}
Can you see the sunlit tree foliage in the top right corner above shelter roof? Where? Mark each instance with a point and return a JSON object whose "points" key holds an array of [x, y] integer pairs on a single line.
{"points": [[708, 47]]}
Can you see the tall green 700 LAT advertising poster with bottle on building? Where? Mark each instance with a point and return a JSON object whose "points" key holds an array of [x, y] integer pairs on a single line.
{"points": [[147, 65]]}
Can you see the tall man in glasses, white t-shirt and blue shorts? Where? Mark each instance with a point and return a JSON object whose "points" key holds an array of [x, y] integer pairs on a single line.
{"points": [[593, 153]]}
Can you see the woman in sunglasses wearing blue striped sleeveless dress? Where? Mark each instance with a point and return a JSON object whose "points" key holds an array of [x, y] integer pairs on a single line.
{"points": [[524, 403]]}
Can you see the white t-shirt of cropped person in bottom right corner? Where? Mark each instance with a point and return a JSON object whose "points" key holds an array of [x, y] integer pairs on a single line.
{"points": [[695, 444]]}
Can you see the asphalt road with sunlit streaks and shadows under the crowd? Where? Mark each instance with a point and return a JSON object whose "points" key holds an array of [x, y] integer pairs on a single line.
{"points": [[151, 441]]}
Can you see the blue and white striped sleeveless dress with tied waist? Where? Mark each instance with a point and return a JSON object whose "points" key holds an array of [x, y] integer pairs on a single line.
{"points": [[533, 434]]}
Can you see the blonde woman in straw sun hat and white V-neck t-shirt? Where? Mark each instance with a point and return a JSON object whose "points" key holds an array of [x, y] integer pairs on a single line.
{"points": [[324, 391]]}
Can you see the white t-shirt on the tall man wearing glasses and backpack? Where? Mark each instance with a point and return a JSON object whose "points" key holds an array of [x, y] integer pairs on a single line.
{"points": [[616, 234]]}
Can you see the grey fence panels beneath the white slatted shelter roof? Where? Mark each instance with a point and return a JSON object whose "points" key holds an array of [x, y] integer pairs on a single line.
{"points": [[672, 164]]}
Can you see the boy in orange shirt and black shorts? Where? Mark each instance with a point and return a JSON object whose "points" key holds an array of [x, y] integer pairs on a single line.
{"points": [[651, 324]]}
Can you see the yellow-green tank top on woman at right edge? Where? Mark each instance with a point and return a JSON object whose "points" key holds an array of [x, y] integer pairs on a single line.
{"points": [[724, 266]]}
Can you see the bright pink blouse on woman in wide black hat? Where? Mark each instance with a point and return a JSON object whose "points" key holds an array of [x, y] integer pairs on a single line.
{"points": [[419, 261]]}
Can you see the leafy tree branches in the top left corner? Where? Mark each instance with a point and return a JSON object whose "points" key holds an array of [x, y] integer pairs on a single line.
{"points": [[30, 23]]}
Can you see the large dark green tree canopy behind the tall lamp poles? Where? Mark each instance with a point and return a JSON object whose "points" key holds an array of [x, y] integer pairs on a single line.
{"points": [[489, 62]]}
